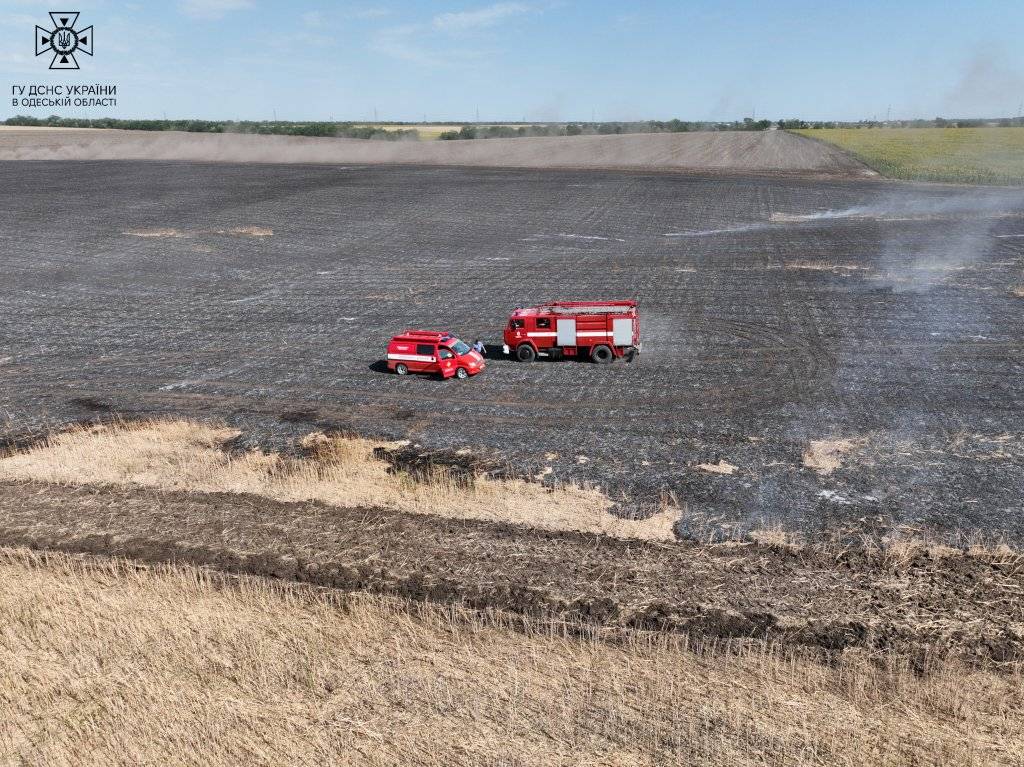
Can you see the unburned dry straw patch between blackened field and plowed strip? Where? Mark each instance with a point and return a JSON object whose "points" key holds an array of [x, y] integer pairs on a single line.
{"points": [[340, 472]]}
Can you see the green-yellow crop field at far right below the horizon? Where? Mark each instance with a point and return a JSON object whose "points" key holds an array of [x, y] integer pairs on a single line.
{"points": [[965, 155]]}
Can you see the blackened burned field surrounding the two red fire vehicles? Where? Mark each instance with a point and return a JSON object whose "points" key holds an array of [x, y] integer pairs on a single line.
{"points": [[826, 357]]}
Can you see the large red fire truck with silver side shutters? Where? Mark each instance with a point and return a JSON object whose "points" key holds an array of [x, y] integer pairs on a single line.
{"points": [[600, 330]]}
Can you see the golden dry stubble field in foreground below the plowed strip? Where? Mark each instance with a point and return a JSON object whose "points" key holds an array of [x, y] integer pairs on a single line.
{"points": [[104, 664]]}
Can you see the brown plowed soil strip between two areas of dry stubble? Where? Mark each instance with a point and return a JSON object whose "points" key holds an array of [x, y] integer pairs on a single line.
{"points": [[960, 605]]}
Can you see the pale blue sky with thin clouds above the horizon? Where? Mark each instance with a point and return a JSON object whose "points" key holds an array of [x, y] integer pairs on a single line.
{"points": [[535, 61]]}
